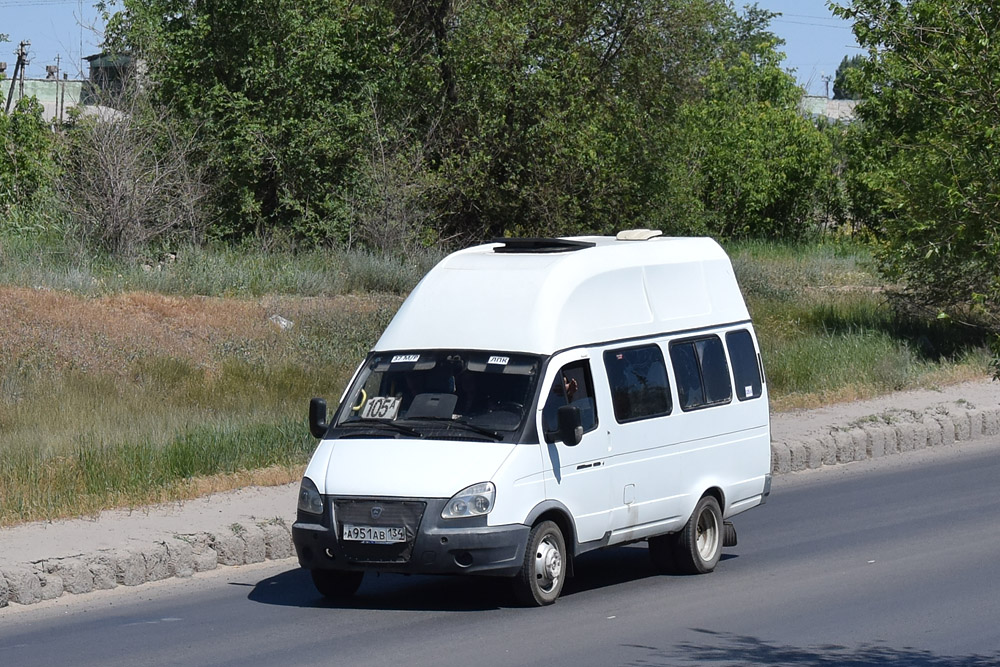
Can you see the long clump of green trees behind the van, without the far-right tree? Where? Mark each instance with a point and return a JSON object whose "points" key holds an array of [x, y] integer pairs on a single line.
{"points": [[390, 122]]}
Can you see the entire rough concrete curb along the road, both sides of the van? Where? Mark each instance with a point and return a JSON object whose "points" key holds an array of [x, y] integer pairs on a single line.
{"points": [[182, 555]]}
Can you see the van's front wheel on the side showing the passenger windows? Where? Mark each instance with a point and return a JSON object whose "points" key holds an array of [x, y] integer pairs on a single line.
{"points": [[543, 572]]}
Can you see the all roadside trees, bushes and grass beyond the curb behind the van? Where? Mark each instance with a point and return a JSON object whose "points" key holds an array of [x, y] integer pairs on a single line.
{"points": [[176, 282]]}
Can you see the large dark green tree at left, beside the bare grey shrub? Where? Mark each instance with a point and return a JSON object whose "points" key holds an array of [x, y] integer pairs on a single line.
{"points": [[279, 90]]}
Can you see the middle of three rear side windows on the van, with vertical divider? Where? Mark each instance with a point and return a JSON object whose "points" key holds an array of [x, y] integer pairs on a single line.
{"points": [[701, 371]]}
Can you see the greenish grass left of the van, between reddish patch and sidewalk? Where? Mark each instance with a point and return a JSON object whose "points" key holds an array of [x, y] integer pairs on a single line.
{"points": [[75, 442]]}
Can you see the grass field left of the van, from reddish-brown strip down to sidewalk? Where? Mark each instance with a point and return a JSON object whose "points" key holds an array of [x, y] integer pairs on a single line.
{"points": [[137, 398]]}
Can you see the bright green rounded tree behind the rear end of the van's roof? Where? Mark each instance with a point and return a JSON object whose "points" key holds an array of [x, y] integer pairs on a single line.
{"points": [[754, 165]]}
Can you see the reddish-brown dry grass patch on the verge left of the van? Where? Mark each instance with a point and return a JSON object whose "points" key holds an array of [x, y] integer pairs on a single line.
{"points": [[60, 331]]}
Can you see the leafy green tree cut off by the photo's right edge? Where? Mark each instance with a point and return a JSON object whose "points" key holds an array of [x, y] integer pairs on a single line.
{"points": [[930, 162]]}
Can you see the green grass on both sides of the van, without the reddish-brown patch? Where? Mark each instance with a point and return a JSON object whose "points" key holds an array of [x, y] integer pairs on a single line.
{"points": [[75, 441]]}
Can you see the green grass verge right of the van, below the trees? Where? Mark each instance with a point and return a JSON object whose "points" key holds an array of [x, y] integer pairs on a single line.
{"points": [[829, 333]]}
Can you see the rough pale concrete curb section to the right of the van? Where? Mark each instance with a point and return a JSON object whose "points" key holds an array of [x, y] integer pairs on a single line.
{"points": [[884, 435]]}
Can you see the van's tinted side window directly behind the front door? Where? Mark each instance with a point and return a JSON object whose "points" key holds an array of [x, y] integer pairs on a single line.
{"points": [[639, 386]]}
